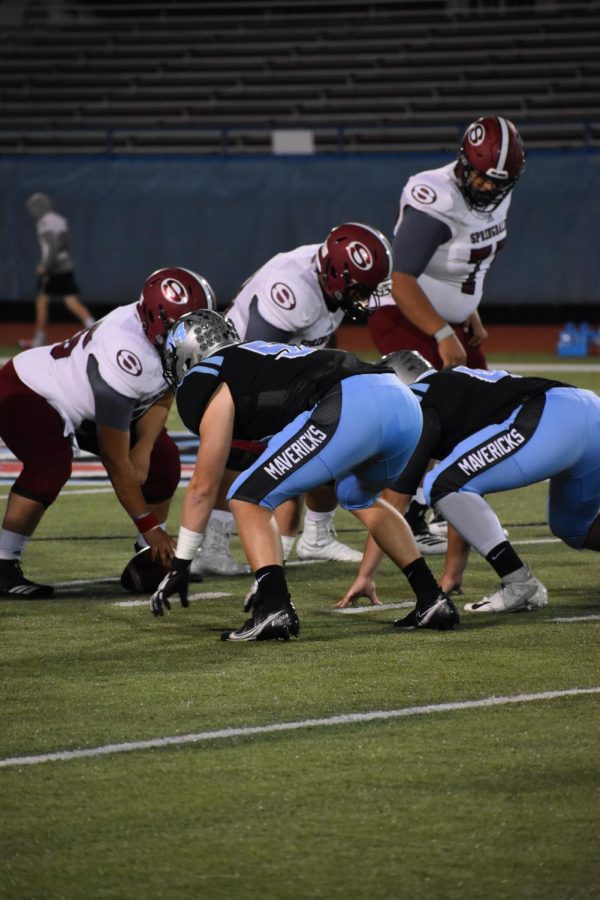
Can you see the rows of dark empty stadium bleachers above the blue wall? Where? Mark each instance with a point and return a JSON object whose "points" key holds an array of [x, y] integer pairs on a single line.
{"points": [[219, 77]]}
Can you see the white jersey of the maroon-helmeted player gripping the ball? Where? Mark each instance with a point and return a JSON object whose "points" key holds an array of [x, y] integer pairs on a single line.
{"points": [[127, 362]]}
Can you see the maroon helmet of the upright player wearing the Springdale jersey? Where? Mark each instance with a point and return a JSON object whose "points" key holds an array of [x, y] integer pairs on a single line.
{"points": [[491, 147]]}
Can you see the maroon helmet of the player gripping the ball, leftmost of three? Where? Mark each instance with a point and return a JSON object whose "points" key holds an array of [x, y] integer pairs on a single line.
{"points": [[167, 295]]}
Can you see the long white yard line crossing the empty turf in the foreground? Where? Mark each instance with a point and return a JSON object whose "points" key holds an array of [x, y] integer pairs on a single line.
{"points": [[381, 715]]}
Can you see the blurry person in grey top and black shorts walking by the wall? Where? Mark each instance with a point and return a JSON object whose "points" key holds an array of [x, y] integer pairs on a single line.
{"points": [[55, 275]]}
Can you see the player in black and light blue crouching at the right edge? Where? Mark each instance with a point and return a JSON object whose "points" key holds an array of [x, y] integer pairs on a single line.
{"points": [[495, 431]]}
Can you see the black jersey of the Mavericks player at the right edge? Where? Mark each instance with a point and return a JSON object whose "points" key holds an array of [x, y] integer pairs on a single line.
{"points": [[459, 402]]}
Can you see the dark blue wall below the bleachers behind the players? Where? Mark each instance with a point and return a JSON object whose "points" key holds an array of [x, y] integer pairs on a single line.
{"points": [[224, 216]]}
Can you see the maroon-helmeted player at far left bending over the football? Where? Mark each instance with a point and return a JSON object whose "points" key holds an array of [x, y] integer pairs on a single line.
{"points": [[104, 391]]}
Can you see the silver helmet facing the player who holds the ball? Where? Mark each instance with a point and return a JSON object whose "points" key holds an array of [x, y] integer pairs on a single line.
{"points": [[195, 337]]}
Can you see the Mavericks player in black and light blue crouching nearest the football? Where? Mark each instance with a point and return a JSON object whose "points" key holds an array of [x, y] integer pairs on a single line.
{"points": [[327, 416]]}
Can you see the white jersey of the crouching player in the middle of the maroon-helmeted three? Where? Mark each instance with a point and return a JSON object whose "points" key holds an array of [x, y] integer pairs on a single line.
{"points": [[289, 297]]}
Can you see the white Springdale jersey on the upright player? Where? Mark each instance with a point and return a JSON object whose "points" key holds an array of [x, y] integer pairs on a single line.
{"points": [[453, 279]]}
